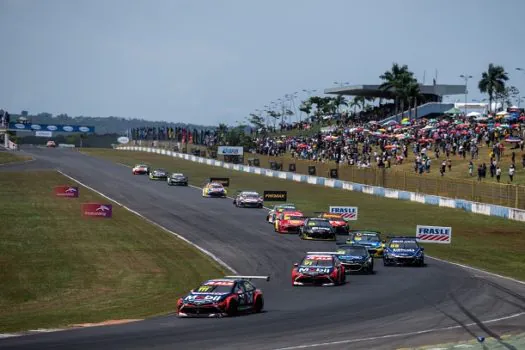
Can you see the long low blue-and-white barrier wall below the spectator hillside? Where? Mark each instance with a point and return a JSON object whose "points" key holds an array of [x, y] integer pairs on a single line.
{"points": [[469, 206]]}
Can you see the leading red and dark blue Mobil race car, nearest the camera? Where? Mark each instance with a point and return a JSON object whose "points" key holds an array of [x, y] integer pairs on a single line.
{"points": [[226, 296]]}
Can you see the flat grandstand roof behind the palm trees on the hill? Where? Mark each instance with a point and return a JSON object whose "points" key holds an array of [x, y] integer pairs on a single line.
{"points": [[375, 91]]}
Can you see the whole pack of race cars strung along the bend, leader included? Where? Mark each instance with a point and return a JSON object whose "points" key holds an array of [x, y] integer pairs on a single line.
{"points": [[232, 295]]}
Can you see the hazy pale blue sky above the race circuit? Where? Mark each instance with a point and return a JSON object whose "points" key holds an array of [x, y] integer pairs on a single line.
{"points": [[213, 61]]}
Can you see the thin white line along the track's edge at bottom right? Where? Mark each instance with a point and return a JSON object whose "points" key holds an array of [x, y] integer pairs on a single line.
{"points": [[397, 335]]}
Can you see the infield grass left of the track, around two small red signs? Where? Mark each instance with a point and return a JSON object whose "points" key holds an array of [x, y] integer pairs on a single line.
{"points": [[57, 268]]}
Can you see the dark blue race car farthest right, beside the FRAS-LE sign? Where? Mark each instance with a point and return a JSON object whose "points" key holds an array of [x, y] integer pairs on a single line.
{"points": [[404, 251]]}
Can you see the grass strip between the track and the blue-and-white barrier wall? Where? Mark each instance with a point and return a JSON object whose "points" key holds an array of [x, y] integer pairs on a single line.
{"points": [[491, 243]]}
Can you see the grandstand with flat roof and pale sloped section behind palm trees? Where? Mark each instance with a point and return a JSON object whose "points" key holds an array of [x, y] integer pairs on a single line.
{"points": [[433, 98]]}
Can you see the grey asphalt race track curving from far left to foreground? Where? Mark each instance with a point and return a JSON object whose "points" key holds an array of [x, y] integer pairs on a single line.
{"points": [[394, 308]]}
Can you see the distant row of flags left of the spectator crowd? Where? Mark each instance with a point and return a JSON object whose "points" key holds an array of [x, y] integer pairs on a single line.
{"points": [[177, 134]]}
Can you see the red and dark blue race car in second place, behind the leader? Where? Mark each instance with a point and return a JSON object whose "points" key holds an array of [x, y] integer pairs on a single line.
{"points": [[319, 268]]}
